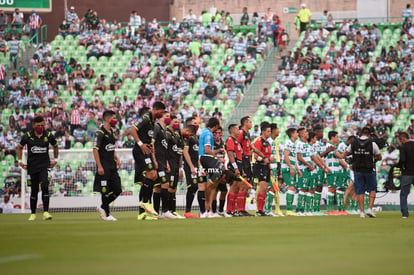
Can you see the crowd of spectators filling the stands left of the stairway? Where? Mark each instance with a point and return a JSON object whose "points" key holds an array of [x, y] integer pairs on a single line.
{"points": [[170, 61]]}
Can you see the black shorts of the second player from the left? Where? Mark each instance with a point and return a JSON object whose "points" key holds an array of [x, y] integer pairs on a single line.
{"points": [[109, 182]]}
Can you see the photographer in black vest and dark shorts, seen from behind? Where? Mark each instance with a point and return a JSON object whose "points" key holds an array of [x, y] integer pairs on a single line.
{"points": [[364, 153]]}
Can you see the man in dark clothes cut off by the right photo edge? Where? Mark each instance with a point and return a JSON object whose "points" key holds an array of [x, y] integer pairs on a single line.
{"points": [[406, 164]]}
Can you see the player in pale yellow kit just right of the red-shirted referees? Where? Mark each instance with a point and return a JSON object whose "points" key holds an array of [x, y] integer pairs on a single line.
{"points": [[273, 192]]}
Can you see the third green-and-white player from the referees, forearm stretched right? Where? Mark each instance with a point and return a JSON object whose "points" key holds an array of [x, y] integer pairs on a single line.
{"points": [[315, 175]]}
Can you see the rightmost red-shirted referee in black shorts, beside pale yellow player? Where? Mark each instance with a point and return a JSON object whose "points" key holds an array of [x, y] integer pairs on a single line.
{"points": [[262, 169]]}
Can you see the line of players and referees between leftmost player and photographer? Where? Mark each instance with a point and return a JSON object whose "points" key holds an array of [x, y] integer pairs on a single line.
{"points": [[162, 148]]}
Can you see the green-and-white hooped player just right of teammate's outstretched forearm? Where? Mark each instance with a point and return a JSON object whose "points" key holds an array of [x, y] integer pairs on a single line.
{"points": [[334, 164]]}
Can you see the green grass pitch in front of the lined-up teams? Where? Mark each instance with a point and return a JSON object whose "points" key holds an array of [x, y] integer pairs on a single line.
{"points": [[80, 243]]}
